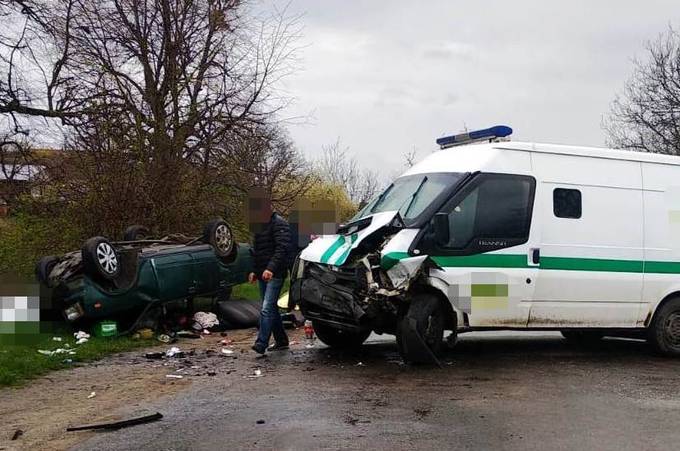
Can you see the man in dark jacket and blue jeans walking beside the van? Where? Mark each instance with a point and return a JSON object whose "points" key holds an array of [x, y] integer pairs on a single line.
{"points": [[271, 248]]}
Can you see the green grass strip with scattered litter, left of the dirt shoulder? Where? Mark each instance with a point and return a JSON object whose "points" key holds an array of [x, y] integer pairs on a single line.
{"points": [[20, 360]]}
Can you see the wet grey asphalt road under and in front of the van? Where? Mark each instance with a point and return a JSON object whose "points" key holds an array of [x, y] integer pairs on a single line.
{"points": [[496, 391]]}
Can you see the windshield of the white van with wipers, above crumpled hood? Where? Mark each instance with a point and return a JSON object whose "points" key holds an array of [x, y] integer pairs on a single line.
{"points": [[410, 195]]}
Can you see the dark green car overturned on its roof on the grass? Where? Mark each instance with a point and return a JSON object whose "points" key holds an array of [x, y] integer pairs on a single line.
{"points": [[124, 279]]}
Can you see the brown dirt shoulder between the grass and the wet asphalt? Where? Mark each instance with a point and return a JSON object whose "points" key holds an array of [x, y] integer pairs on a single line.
{"points": [[44, 408]]}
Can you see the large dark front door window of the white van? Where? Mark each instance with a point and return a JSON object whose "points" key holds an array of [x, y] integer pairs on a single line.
{"points": [[495, 213]]}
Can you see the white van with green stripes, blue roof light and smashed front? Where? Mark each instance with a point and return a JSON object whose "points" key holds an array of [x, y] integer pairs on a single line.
{"points": [[505, 235]]}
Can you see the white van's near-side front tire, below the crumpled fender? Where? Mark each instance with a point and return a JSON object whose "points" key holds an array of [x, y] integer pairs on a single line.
{"points": [[428, 314]]}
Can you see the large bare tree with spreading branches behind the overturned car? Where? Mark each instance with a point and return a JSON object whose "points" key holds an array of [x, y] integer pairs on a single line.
{"points": [[146, 90]]}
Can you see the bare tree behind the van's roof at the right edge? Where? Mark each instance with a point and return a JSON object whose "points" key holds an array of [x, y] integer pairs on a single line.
{"points": [[646, 116]]}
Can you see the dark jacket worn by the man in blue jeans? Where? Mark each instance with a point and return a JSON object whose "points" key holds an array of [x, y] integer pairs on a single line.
{"points": [[271, 248]]}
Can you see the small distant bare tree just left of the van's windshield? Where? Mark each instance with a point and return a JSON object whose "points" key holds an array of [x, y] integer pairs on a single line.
{"points": [[338, 167]]}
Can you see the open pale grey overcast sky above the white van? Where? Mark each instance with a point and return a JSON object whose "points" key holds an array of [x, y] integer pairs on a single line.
{"points": [[388, 76]]}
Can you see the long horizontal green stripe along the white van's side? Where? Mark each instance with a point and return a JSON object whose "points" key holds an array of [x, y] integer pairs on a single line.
{"points": [[547, 263]]}
